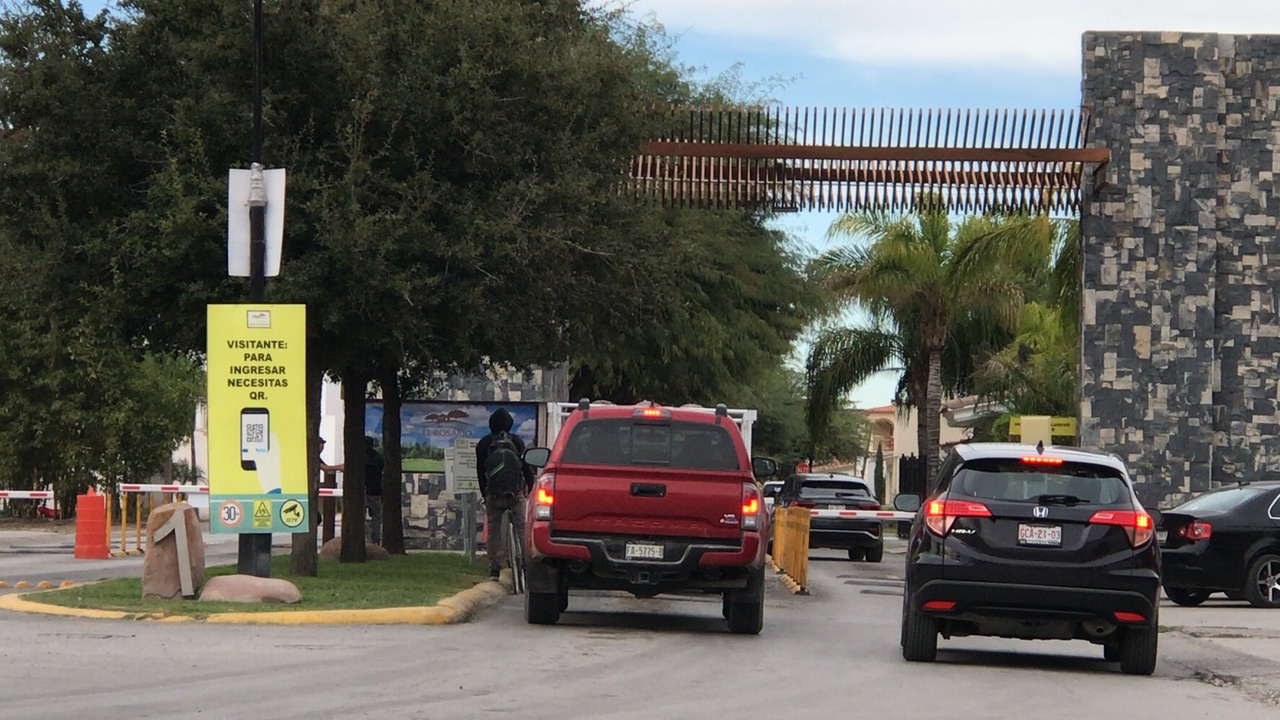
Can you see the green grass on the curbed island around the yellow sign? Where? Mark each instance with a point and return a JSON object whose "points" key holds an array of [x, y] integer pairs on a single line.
{"points": [[405, 581]]}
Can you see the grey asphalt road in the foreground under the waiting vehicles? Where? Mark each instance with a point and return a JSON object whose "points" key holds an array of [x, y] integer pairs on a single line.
{"points": [[831, 654]]}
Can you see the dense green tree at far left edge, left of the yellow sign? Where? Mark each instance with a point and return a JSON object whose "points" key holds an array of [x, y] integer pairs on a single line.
{"points": [[81, 403]]}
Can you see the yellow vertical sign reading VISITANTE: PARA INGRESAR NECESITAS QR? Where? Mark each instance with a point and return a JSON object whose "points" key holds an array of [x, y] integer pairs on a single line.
{"points": [[258, 441]]}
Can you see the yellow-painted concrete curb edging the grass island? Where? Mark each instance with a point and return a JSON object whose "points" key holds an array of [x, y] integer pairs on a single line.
{"points": [[460, 608]]}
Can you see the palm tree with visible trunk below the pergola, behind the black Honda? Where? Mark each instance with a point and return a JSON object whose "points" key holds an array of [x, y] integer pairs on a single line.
{"points": [[925, 281]]}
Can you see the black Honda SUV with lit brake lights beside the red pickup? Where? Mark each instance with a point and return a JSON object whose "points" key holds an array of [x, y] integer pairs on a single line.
{"points": [[1034, 543]]}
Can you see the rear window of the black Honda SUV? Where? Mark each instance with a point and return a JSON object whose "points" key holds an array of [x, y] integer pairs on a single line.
{"points": [[1017, 482]]}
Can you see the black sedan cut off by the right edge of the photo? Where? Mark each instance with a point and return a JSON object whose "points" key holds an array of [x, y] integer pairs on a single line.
{"points": [[1228, 541]]}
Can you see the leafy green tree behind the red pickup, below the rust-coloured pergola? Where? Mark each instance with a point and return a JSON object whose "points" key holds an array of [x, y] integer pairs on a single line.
{"points": [[723, 313]]}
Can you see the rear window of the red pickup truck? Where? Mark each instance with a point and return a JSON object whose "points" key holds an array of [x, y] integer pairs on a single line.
{"points": [[682, 445]]}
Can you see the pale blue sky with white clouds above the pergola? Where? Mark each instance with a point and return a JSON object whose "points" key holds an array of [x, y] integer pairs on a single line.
{"points": [[922, 54]]}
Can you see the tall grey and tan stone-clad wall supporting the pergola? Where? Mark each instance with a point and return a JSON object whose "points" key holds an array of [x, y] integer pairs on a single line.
{"points": [[1181, 340]]}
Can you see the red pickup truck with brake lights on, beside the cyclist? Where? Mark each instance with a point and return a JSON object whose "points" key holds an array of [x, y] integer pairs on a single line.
{"points": [[648, 500]]}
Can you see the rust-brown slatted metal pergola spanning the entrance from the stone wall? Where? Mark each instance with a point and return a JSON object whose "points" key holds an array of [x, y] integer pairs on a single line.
{"points": [[788, 160]]}
